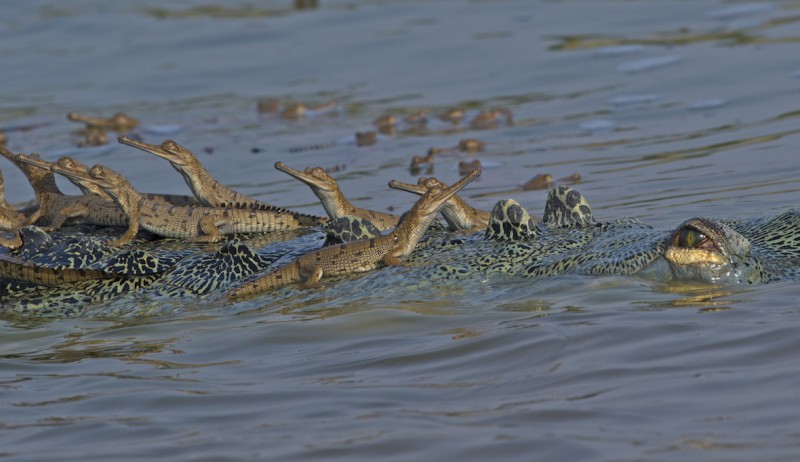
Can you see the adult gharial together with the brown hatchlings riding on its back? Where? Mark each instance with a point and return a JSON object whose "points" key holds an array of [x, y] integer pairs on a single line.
{"points": [[68, 269]]}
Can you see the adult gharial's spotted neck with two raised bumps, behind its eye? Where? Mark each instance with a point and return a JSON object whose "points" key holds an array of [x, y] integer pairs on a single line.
{"points": [[568, 240]]}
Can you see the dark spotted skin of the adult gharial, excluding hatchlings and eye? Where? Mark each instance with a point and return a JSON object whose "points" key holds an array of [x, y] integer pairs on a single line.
{"points": [[567, 240]]}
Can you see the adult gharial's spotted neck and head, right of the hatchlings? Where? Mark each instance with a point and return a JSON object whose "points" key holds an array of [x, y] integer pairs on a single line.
{"points": [[570, 240]]}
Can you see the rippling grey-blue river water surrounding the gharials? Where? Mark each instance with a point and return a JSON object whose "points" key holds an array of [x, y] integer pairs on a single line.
{"points": [[667, 109]]}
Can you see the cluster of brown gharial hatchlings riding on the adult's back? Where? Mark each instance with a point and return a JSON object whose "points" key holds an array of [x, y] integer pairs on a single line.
{"points": [[215, 210]]}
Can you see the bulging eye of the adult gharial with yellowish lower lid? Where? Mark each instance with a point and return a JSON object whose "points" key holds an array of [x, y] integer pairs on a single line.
{"points": [[711, 251]]}
